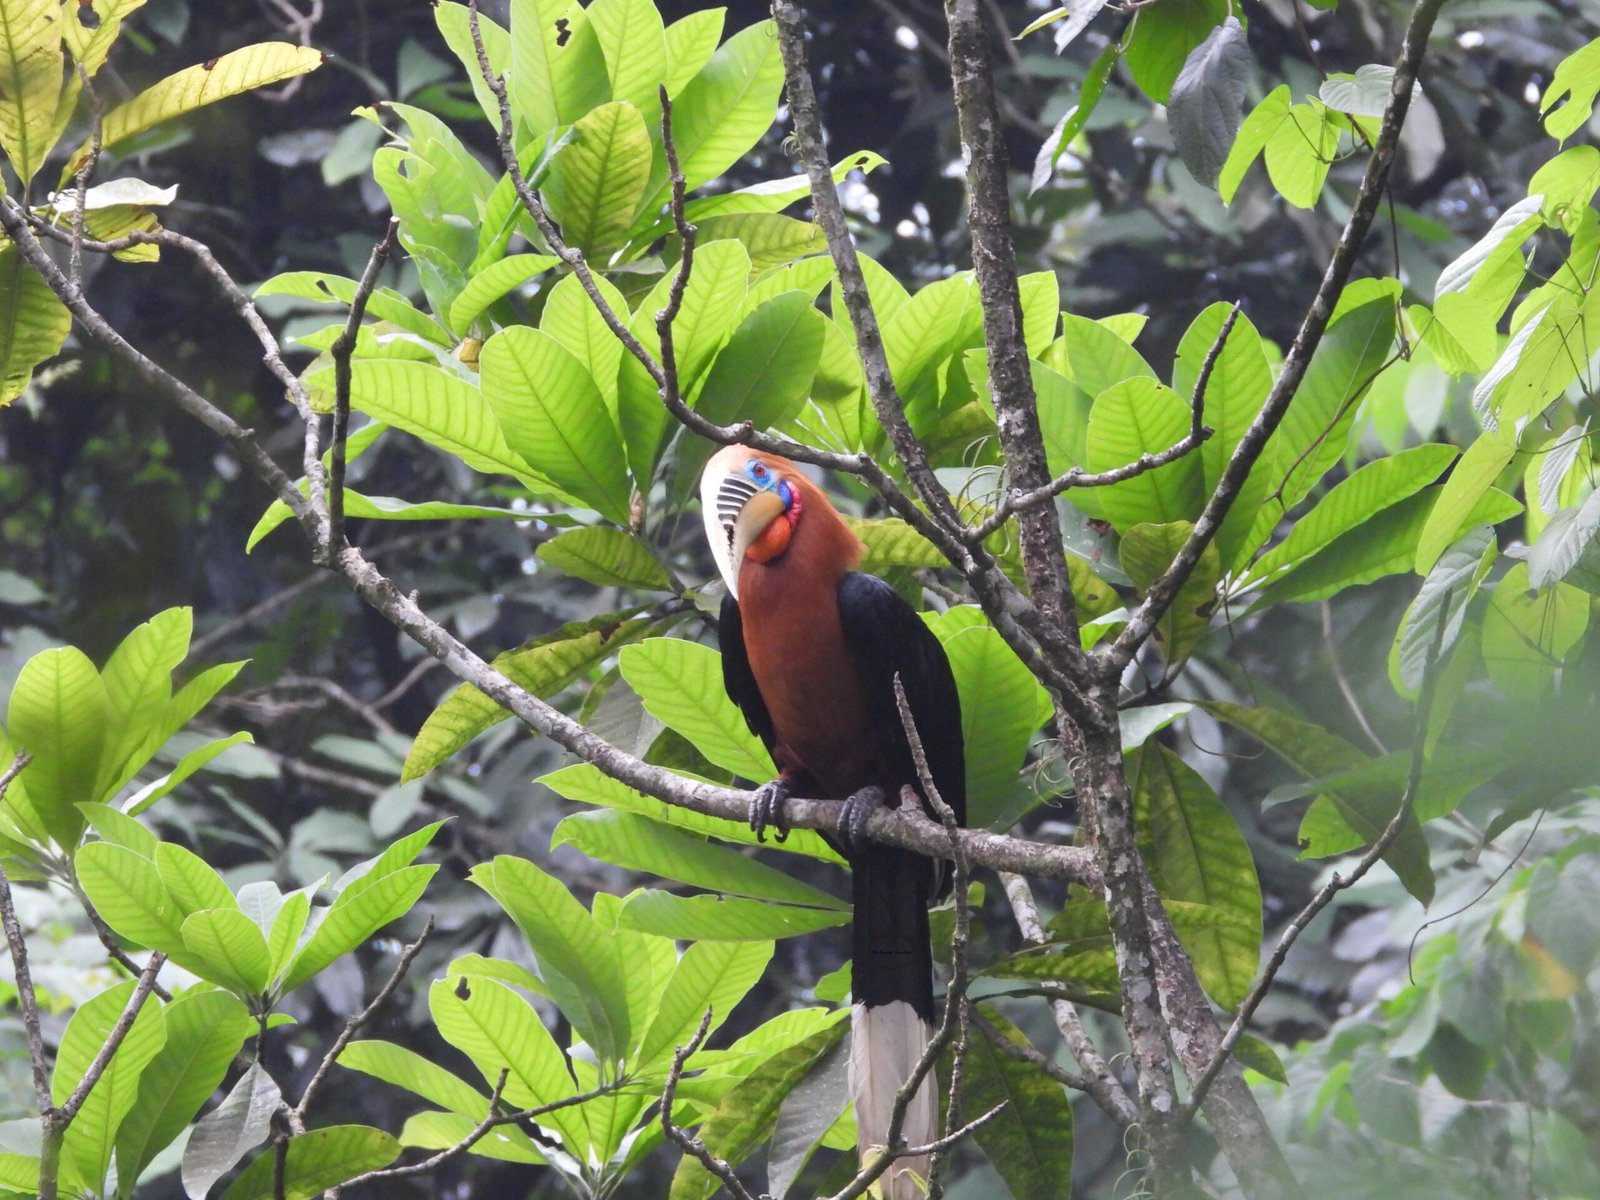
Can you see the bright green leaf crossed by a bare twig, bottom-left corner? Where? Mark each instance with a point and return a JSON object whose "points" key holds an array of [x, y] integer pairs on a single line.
{"points": [[90, 1140]]}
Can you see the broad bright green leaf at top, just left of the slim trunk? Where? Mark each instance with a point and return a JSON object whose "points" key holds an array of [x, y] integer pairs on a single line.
{"points": [[724, 111]]}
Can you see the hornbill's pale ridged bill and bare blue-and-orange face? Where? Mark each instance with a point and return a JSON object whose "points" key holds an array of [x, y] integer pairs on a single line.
{"points": [[753, 505]]}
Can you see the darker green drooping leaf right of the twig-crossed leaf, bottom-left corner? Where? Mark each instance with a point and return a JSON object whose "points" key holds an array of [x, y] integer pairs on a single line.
{"points": [[204, 1033]]}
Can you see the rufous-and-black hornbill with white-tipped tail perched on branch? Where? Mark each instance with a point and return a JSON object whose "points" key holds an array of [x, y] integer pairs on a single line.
{"points": [[810, 650]]}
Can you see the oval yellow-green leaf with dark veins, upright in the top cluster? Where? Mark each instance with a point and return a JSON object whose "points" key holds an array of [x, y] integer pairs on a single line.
{"points": [[601, 178]]}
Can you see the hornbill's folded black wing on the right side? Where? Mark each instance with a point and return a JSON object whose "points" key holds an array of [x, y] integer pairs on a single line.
{"points": [[887, 638]]}
